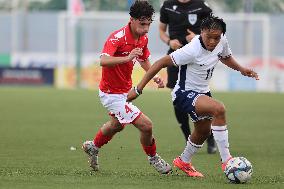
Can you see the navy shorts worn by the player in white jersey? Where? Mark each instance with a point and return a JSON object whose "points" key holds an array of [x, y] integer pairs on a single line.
{"points": [[185, 101]]}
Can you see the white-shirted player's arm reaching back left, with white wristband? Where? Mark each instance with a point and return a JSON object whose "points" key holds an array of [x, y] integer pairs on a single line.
{"points": [[154, 69]]}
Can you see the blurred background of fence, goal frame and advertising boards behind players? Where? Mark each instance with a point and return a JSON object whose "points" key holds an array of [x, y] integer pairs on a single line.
{"points": [[58, 42]]}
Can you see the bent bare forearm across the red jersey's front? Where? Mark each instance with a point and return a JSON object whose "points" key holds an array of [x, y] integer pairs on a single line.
{"points": [[107, 60]]}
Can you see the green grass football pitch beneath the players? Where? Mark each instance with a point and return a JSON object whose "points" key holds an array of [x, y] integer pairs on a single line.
{"points": [[39, 125]]}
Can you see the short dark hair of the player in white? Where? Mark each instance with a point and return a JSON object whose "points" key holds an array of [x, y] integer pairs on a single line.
{"points": [[213, 23]]}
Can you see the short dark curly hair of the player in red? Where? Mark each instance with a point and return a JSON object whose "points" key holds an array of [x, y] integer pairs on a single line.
{"points": [[142, 9]]}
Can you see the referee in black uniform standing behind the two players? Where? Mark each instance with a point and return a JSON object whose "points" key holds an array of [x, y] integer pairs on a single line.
{"points": [[182, 18]]}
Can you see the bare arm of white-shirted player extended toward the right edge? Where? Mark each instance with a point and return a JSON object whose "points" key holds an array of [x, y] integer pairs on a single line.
{"points": [[232, 63]]}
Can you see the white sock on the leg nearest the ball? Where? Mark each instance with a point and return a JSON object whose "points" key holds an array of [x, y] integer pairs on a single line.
{"points": [[221, 137]]}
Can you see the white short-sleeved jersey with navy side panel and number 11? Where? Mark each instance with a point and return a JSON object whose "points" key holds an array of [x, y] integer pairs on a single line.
{"points": [[196, 64]]}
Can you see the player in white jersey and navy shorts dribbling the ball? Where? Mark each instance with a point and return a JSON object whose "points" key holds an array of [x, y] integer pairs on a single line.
{"points": [[196, 62]]}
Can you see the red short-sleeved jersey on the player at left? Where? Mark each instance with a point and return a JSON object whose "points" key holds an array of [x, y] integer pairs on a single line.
{"points": [[117, 79]]}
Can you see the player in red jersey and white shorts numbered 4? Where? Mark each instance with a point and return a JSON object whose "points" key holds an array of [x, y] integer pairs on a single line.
{"points": [[121, 51]]}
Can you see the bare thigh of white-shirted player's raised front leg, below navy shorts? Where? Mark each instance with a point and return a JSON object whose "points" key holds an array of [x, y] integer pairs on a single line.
{"points": [[206, 105]]}
